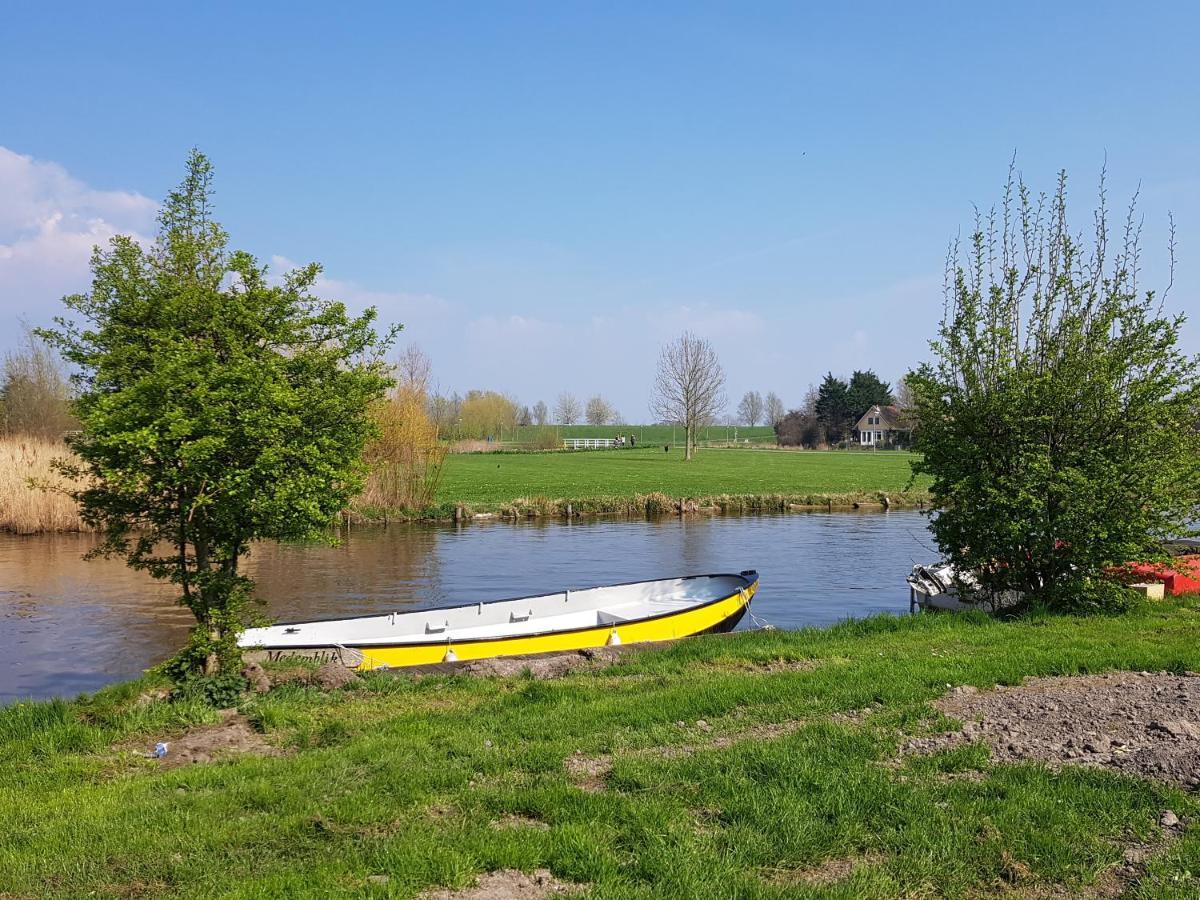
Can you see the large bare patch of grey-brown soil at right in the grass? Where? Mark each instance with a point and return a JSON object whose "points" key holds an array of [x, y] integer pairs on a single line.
{"points": [[1137, 723]]}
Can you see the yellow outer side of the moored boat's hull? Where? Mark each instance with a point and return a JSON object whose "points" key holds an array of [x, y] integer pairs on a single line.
{"points": [[717, 616]]}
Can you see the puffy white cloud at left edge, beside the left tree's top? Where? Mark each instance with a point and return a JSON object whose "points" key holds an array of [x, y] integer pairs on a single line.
{"points": [[50, 224]]}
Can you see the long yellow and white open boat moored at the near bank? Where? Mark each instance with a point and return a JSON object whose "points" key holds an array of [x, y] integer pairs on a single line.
{"points": [[549, 623]]}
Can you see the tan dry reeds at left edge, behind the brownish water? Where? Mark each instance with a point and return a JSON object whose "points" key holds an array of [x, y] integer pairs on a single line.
{"points": [[33, 496]]}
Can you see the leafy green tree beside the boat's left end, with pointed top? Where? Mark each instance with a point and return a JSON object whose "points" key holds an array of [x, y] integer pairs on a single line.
{"points": [[218, 409]]}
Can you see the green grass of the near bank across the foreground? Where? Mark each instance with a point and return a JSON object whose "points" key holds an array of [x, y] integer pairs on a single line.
{"points": [[760, 765]]}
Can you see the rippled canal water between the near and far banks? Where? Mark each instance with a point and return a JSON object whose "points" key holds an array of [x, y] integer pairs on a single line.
{"points": [[69, 626]]}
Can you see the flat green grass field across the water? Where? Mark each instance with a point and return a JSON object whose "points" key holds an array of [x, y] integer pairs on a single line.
{"points": [[500, 478]]}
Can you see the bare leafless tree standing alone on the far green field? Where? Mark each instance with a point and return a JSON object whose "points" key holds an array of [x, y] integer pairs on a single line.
{"points": [[689, 389]]}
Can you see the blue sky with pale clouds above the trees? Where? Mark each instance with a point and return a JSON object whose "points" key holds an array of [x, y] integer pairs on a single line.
{"points": [[545, 193]]}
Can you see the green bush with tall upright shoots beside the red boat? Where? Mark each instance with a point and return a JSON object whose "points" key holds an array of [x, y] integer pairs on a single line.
{"points": [[1054, 413]]}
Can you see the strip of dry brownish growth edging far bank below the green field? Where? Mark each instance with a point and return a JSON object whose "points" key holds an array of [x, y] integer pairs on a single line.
{"points": [[641, 507]]}
